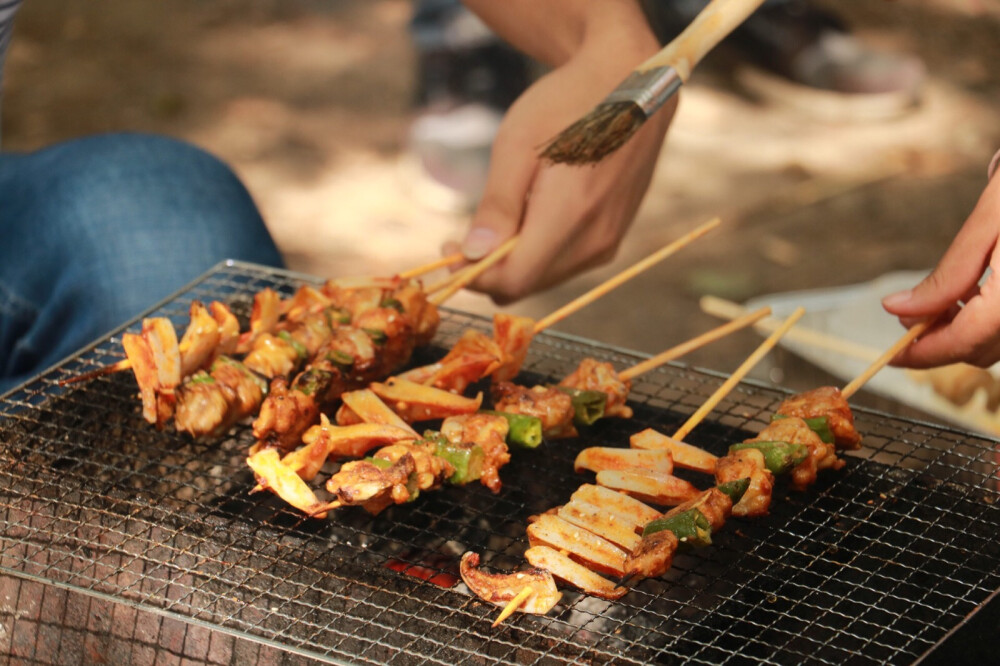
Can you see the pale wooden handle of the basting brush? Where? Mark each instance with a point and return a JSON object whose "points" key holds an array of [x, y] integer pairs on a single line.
{"points": [[713, 23]]}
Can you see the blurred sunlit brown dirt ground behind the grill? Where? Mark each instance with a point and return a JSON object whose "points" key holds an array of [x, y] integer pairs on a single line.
{"points": [[310, 101]]}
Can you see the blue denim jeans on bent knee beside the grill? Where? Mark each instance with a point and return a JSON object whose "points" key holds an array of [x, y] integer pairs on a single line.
{"points": [[96, 230]]}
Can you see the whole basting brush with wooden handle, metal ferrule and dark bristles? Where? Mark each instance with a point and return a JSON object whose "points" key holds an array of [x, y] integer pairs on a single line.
{"points": [[612, 122]]}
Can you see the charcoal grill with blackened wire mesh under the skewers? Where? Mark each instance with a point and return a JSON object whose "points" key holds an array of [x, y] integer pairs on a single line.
{"points": [[151, 542]]}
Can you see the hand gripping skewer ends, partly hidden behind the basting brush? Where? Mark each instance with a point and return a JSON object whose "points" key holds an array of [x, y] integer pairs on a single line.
{"points": [[569, 218]]}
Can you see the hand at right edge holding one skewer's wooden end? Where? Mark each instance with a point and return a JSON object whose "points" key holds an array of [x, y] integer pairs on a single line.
{"points": [[968, 314]]}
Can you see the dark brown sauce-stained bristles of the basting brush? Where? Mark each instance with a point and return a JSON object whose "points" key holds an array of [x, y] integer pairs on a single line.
{"points": [[601, 132]]}
